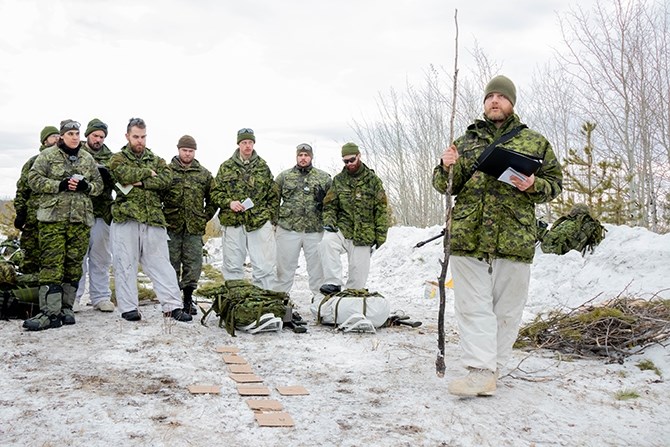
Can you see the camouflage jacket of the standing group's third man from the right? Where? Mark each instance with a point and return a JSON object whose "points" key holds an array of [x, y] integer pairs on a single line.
{"points": [[237, 180]]}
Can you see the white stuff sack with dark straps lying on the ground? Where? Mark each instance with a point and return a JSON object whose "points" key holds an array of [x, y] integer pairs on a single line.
{"points": [[336, 309]]}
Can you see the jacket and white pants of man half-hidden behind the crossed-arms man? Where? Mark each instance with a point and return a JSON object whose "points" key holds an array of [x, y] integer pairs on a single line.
{"points": [[98, 259]]}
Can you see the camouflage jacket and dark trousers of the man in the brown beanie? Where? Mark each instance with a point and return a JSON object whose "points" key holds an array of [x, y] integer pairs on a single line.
{"points": [[188, 207]]}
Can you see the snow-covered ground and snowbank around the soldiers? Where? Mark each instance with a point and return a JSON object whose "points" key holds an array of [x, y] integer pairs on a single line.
{"points": [[109, 382]]}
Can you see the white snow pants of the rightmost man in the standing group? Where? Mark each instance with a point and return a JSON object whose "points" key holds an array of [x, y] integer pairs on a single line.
{"points": [[332, 246]]}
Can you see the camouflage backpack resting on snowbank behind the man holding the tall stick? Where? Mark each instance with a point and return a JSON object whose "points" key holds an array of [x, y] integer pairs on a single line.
{"points": [[575, 231]]}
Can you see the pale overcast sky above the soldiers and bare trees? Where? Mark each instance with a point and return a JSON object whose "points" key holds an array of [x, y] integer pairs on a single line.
{"points": [[293, 70]]}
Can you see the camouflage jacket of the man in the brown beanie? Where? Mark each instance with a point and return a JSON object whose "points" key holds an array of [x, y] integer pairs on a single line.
{"points": [[187, 204]]}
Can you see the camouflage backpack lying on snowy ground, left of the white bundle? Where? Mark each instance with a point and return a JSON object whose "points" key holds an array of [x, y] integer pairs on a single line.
{"points": [[239, 303]]}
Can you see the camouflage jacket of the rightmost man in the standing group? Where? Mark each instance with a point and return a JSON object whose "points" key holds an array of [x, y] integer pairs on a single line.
{"points": [[357, 205]]}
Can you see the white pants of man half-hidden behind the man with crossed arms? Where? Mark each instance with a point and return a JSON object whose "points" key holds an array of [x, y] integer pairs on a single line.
{"points": [[96, 264]]}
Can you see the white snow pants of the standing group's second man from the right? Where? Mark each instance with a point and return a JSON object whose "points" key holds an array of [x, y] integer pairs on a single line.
{"points": [[289, 244]]}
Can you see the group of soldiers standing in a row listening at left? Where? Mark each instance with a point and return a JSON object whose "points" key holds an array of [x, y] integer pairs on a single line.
{"points": [[77, 203]]}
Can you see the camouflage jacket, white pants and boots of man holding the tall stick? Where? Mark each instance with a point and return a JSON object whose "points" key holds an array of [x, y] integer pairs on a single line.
{"points": [[493, 234]]}
